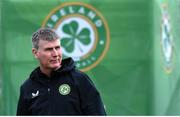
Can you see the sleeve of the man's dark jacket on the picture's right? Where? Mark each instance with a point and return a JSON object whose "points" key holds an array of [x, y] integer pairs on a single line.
{"points": [[91, 103]]}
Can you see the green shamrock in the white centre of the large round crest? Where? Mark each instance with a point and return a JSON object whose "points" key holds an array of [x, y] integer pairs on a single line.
{"points": [[79, 37]]}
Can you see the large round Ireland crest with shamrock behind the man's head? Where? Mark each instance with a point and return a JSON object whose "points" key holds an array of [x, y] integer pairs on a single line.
{"points": [[84, 33]]}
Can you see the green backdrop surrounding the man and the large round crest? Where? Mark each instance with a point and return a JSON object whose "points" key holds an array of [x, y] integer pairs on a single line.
{"points": [[139, 71]]}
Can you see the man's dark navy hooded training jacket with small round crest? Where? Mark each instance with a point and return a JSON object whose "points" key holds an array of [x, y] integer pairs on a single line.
{"points": [[67, 92]]}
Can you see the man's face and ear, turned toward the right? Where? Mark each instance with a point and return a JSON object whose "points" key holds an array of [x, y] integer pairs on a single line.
{"points": [[49, 54]]}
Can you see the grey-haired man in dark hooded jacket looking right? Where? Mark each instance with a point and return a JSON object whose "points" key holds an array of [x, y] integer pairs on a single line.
{"points": [[56, 87]]}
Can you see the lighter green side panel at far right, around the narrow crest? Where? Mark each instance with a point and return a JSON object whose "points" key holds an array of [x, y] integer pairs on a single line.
{"points": [[166, 85]]}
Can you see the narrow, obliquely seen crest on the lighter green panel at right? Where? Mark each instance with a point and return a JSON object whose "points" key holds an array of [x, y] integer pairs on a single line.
{"points": [[167, 40]]}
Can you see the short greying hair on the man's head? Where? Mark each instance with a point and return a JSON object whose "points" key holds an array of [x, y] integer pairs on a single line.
{"points": [[46, 34]]}
